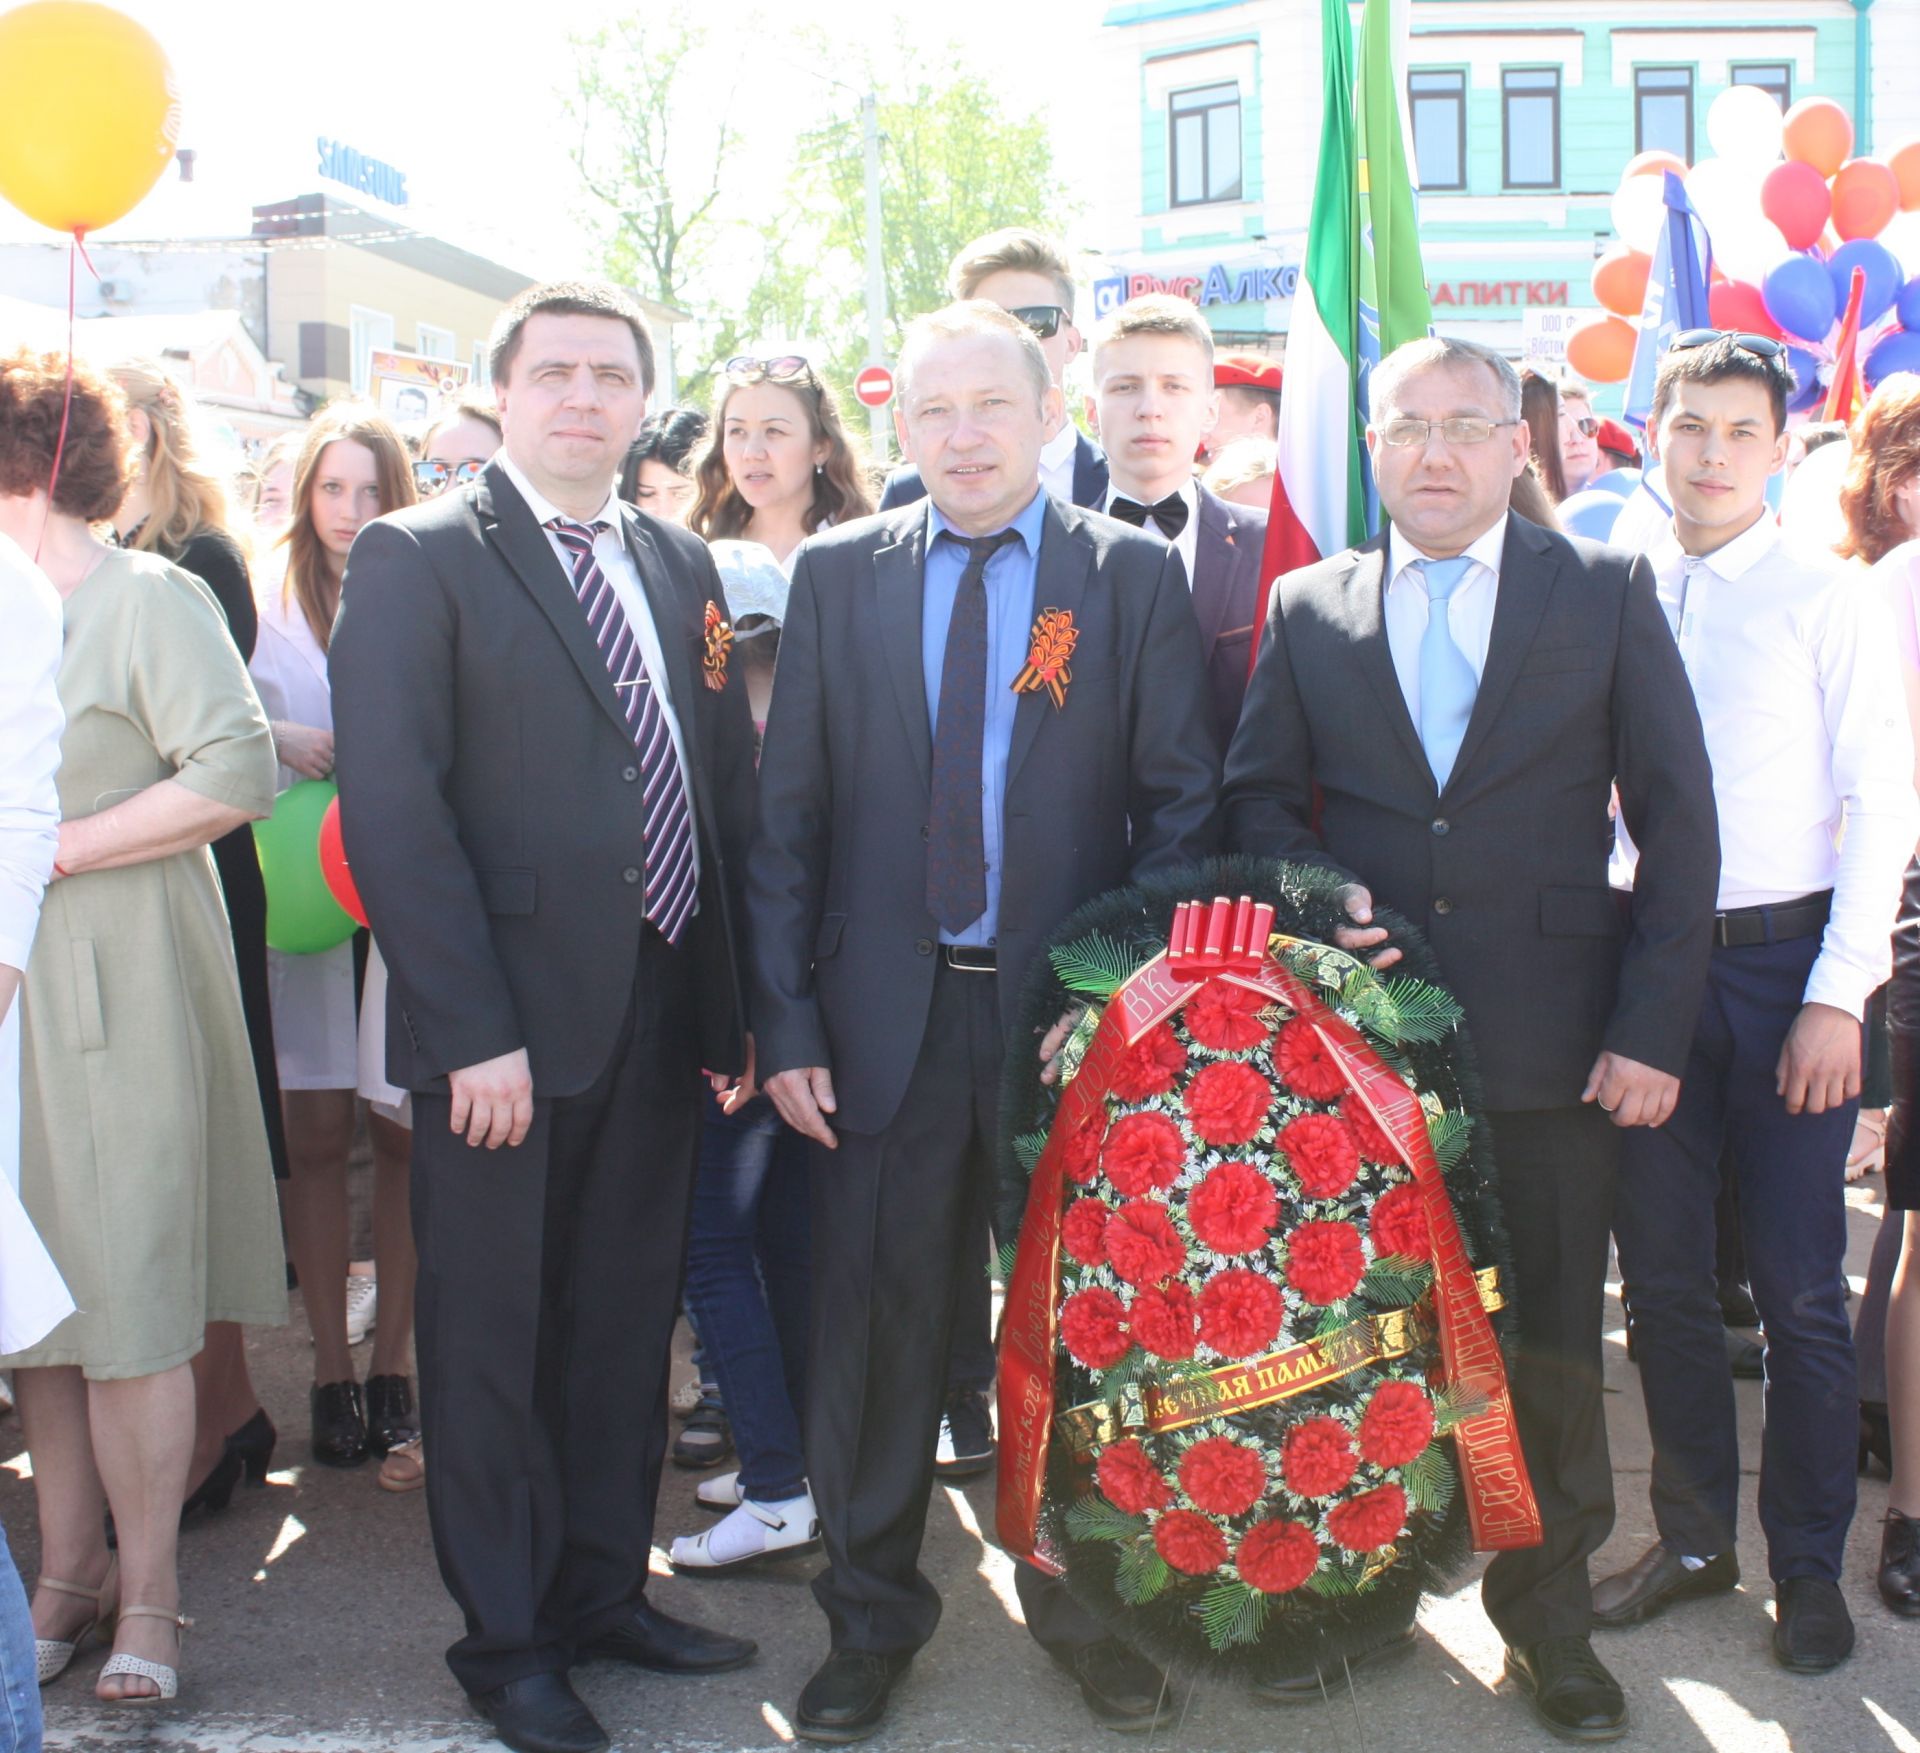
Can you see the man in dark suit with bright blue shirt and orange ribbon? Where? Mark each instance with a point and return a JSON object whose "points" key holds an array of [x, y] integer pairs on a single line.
{"points": [[936, 798]]}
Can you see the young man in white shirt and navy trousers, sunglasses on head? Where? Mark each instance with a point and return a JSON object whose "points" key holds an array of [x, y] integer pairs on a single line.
{"points": [[1800, 696]]}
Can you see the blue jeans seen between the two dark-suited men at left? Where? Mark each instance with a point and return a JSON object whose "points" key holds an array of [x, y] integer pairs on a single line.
{"points": [[750, 1282]]}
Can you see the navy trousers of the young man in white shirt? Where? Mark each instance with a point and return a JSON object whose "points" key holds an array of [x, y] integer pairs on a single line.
{"points": [[1790, 1174]]}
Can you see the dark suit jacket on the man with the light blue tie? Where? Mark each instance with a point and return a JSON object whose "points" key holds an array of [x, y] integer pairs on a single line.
{"points": [[1504, 871]]}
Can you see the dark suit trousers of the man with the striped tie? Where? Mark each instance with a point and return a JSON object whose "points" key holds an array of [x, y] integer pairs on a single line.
{"points": [[550, 1284]]}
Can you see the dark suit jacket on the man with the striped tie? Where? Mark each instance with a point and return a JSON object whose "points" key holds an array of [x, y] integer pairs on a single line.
{"points": [[491, 800]]}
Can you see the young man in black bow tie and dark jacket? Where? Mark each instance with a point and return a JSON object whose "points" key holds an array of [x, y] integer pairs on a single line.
{"points": [[1153, 406]]}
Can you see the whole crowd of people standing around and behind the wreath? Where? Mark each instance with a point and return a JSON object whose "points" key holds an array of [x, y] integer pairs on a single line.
{"points": [[704, 838]]}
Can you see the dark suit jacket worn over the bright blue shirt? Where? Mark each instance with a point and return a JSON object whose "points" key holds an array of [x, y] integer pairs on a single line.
{"points": [[1118, 782]]}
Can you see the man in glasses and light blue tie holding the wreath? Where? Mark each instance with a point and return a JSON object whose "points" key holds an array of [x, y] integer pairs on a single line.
{"points": [[1464, 692]]}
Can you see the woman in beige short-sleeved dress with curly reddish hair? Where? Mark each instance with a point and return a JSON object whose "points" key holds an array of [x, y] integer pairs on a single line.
{"points": [[143, 1151]]}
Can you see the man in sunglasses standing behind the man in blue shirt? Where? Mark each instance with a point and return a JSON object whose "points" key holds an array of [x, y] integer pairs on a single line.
{"points": [[1026, 276]]}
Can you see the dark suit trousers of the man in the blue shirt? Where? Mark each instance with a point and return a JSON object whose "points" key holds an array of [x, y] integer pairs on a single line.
{"points": [[892, 1243]]}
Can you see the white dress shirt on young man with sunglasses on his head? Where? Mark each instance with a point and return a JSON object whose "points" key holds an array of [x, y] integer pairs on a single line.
{"points": [[1796, 675]]}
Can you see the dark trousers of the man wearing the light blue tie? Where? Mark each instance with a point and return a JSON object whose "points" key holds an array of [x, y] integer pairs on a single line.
{"points": [[1556, 1188]]}
